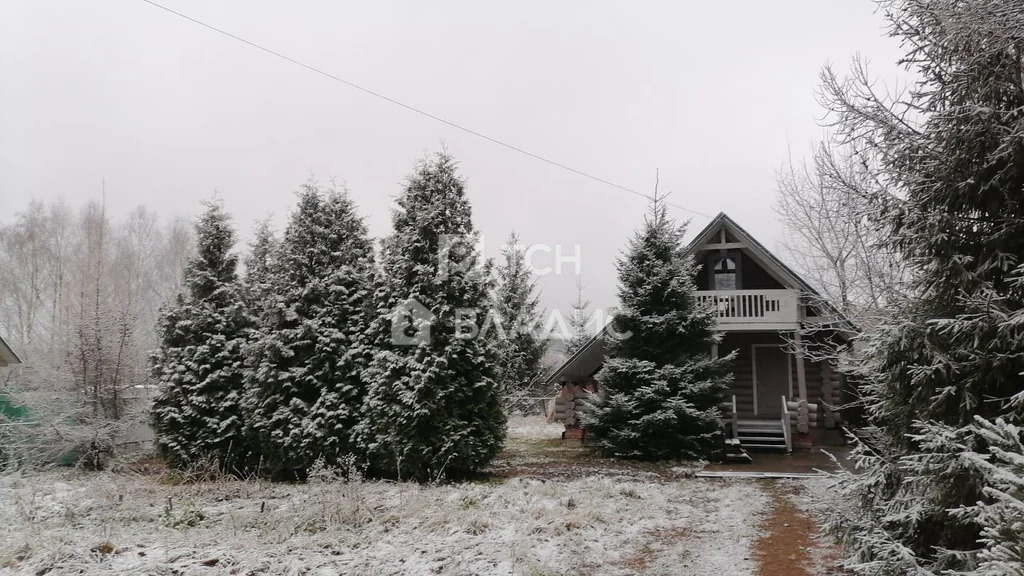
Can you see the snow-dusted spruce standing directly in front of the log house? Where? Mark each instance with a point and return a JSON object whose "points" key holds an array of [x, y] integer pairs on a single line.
{"points": [[661, 388]]}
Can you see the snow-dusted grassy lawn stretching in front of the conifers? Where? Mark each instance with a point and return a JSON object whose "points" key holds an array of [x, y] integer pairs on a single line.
{"points": [[594, 523]]}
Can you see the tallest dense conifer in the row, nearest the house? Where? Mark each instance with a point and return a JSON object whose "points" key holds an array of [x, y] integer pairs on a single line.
{"points": [[434, 408]]}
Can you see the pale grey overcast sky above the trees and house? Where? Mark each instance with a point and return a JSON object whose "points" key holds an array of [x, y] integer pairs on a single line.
{"points": [[714, 95]]}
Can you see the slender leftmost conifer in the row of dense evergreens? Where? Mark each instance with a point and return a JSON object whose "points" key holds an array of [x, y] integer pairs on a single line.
{"points": [[199, 366]]}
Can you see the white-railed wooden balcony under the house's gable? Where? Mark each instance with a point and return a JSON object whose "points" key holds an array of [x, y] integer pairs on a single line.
{"points": [[753, 310]]}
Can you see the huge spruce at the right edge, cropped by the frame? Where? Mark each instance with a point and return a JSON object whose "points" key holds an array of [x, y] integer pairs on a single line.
{"points": [[954, 151]]}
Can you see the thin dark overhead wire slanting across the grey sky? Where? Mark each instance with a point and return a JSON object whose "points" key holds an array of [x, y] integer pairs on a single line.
{"points": [[412, 108]]}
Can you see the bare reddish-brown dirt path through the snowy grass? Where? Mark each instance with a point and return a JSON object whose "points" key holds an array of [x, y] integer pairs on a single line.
{"points": [[790, 544]]}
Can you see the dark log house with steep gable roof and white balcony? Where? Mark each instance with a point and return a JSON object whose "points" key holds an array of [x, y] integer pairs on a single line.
{"points": [[787, 388]]}
